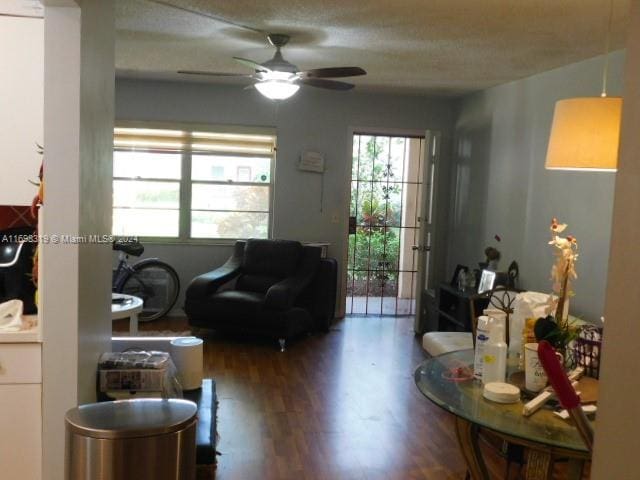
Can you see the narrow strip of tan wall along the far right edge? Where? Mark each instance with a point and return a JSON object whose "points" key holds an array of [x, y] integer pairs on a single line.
{"points": [[618, 425]]}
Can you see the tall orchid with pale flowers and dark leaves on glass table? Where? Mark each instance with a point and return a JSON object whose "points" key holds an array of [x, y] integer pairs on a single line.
{"points": [[557, 329]]}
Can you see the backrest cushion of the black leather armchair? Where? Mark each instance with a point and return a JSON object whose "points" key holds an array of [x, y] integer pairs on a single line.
{"points": [[266, 262]]}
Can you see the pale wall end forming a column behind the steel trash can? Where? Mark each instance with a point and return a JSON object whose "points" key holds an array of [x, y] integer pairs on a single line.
{"points": [[76, 283]]}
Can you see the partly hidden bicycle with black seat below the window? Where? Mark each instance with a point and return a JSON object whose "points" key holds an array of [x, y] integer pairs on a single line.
{"points": [[151, 279]]}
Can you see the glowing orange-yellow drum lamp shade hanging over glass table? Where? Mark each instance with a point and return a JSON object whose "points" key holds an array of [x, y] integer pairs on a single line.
{"points": [[585, 134]]}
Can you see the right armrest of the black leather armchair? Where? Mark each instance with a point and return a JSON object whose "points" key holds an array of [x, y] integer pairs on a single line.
{"points": [[282, 295]]}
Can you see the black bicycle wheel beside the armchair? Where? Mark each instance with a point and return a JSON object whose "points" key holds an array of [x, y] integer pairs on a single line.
{"points": [[157, 284]]}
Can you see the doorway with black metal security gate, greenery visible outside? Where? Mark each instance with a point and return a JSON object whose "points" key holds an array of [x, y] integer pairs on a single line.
{"points": [[384, 224]]}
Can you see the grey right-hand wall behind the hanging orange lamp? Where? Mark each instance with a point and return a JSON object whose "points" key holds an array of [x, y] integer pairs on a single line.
{"points": [[500, 186]]}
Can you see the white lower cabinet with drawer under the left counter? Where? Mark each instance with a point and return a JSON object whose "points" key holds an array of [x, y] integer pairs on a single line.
{"points": [[20, 411]]}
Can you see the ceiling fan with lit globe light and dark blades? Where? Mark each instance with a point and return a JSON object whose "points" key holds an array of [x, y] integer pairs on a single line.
{"points": [[278, 79]]}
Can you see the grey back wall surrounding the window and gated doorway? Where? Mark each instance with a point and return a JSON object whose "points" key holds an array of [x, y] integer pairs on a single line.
{"points": [[312, 120]]}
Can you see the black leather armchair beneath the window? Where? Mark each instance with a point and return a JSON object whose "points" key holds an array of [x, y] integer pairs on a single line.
{"points": [[278, 288]]}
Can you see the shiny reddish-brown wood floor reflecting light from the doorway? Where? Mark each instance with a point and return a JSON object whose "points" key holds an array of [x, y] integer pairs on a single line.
{"points": [[334, 406]]}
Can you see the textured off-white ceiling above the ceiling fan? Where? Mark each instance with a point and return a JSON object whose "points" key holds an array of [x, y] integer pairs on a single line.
{"points": [[445, 47]]}
